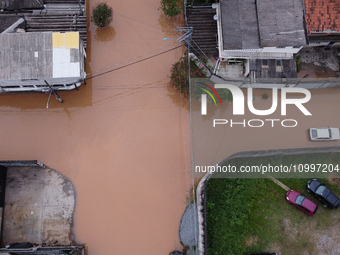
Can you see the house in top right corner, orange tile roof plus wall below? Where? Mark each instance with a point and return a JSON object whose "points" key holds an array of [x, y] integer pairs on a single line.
{"points": [[322, 21]]}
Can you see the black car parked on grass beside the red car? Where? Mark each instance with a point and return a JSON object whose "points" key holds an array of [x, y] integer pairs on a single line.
{"points": [[327, 197]]}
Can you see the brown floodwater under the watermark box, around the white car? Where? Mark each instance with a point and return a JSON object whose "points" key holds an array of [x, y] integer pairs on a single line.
{"points": [[252, 132]]}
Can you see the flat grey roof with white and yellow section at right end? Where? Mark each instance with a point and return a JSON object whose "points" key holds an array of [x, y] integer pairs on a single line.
{"points": [[39, 55]]}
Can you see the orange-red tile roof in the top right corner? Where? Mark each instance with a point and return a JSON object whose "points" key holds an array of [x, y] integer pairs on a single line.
{"points": [[322, 15]]}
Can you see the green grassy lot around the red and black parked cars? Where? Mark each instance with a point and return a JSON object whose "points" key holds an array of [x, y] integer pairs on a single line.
{"points": [[252, 216]]}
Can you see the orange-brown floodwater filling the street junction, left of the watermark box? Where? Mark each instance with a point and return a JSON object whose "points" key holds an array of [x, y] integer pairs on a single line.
{"points": [[123, 139]]}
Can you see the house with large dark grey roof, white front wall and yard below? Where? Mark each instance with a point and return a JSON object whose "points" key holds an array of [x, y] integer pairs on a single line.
{"points": [[264, 35]]}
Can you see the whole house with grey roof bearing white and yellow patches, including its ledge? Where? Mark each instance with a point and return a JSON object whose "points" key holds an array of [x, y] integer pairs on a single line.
{"points": [[41, 61]]}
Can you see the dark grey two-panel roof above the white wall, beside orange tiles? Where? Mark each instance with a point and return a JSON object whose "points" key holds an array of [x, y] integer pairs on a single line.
{"points": [[250, 24]]}
